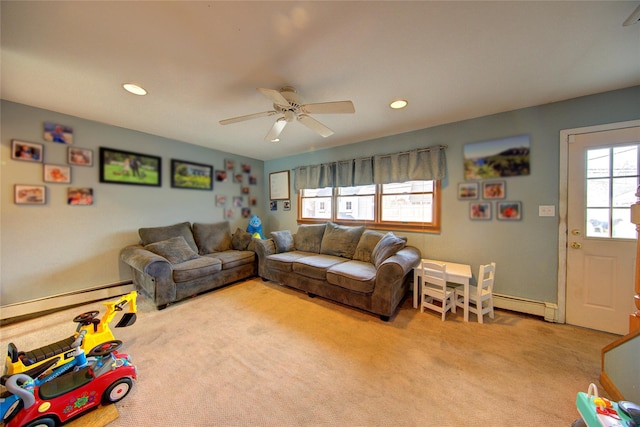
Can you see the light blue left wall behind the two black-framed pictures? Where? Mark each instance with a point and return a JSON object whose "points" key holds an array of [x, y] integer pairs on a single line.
{"points": [[56, 248]]}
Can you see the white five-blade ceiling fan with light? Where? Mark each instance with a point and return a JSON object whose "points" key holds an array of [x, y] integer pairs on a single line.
{"points": [[288, 103]]}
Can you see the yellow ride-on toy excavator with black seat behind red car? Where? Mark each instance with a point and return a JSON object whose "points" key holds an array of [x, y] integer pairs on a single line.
{"points": [[34, 362]]}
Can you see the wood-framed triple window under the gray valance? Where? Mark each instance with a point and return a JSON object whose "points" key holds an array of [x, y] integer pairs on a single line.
{"points": [[412, 205]]}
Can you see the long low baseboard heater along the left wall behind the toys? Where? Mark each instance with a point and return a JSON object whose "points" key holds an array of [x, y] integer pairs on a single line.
{"points": [[65, 300]]}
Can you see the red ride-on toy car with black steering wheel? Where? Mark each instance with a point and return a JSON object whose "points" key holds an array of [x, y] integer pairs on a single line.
{"points": [[60, 399]]}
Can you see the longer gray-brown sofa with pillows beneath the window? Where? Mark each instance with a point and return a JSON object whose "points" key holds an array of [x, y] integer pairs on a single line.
{"points": [[350, 265]]}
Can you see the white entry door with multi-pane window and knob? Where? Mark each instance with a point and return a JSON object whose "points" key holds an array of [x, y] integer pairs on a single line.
{"points": [[603, 179]]}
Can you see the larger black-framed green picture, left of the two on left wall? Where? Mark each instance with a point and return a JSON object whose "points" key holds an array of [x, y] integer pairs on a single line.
{"points": [[127, 167]]}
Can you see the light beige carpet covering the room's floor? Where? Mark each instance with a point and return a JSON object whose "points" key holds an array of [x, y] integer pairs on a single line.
{"points": [[258, 354]]}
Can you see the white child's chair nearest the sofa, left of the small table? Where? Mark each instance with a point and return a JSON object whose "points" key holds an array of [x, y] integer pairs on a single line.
{"points": [[434, 288]]}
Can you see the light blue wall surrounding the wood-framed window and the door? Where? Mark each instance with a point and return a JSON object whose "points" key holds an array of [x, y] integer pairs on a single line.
{"points": [[526, 251]]}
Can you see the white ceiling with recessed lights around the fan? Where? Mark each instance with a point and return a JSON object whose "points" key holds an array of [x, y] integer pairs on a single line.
{"points": [[202, 62]]}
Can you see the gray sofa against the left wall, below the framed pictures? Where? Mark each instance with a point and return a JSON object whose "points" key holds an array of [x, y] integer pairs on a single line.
{"points": [[178, 261]]}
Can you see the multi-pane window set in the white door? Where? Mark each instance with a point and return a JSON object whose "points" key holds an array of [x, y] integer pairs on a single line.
{"points": [[612, 180]]}
